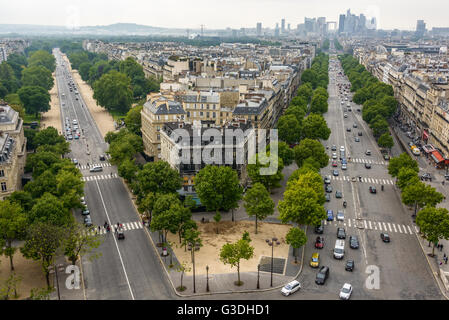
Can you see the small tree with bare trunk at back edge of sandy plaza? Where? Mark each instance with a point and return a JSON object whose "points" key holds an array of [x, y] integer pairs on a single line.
{"points": [[257, 202]]}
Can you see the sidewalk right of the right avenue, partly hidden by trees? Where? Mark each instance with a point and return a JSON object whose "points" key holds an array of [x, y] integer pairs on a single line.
{"points": [[440, 271]]}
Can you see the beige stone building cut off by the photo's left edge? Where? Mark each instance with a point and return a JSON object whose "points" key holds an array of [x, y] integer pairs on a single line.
{"points": [[12, 150]]}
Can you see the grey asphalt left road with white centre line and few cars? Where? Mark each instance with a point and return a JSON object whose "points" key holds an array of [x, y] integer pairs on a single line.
{"points": [[126, 269]]}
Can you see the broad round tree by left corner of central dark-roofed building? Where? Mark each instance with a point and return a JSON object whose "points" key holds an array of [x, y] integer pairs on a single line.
{"points": [[158, 177]]}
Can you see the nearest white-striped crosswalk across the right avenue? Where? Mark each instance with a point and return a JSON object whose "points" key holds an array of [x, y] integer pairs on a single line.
{"points": [[388, 227]]}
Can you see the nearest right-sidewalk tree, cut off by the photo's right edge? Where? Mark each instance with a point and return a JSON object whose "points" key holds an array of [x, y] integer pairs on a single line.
{"points": [[433, 224]]}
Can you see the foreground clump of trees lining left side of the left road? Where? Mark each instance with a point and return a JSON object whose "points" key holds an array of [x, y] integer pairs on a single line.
{"points": [[41, 213]]}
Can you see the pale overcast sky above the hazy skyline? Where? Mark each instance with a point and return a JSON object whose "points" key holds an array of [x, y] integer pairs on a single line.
{"points": [[218, 14]]}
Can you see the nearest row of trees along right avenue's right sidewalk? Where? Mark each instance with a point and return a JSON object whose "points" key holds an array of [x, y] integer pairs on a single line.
{"points": [[433, 222]]}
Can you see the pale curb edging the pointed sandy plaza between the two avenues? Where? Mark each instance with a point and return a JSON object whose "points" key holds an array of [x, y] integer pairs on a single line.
{"points": [[167, 274]]}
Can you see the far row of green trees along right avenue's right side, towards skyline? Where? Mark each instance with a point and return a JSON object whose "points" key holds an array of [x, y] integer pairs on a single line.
{"points": [[376, 97]]}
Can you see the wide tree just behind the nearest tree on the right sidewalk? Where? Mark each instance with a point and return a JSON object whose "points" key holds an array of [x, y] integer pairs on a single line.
{"points": [[420, 195]]}
